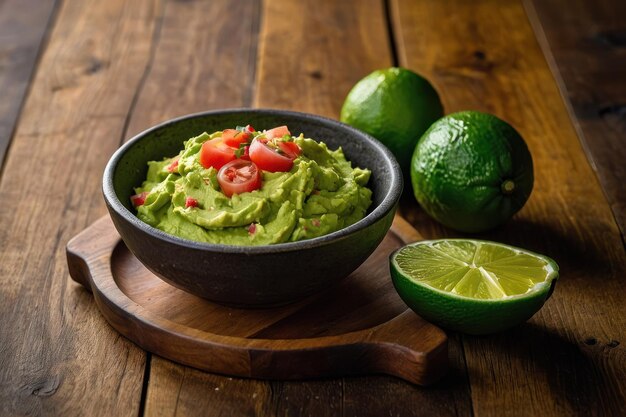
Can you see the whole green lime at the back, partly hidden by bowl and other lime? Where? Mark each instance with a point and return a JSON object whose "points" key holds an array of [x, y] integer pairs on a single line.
{"points": [[396, 106]]}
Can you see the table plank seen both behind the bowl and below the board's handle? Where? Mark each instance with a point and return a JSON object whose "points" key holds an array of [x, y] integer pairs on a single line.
{"points": [[311, 69]]}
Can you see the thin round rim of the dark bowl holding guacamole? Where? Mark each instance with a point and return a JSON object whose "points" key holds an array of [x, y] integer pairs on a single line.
{"points": [[389, 201]]}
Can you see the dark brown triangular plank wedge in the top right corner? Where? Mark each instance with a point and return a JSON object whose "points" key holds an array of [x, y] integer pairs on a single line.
{"points": [[584, 43]]}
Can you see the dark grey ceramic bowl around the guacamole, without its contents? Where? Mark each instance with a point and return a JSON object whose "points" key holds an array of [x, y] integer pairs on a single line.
{"points": [[251, 276]]}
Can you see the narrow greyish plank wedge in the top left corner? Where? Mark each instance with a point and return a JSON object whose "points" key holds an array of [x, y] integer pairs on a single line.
{"points": [[23, 25]]}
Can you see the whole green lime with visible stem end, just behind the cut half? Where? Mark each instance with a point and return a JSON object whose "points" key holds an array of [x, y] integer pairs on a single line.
{"points": [[471, 171]]}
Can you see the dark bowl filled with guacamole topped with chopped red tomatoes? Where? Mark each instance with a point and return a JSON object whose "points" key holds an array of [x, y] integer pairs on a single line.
{"points": [[252, 207]]}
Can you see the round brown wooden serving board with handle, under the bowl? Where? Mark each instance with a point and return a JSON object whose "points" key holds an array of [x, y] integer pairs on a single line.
{"points": [[358, 326]]}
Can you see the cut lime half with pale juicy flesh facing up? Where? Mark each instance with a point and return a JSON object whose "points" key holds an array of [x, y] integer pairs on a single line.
{"points": [[472, 286]]}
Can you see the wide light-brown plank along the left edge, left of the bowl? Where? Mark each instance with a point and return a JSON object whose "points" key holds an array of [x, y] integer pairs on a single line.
{"points": [[59, 357]]}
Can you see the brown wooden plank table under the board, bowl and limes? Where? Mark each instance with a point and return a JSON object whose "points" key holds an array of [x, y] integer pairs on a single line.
{"points": [[79, 77]]}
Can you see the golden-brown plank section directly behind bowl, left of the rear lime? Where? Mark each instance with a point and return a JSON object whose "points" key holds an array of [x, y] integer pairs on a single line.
{"points": [[312, 66]]}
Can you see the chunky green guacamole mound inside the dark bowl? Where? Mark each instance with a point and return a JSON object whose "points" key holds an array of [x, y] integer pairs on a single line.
{"points": [[319, 194]]}
